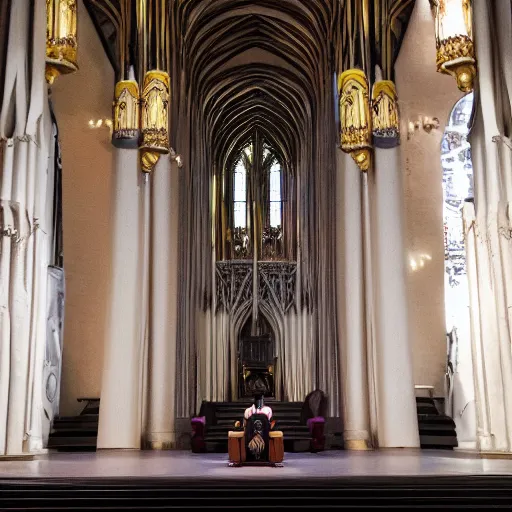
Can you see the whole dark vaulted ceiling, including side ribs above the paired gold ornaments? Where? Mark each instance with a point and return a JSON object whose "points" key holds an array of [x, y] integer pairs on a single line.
{"points": [[240, 67]]}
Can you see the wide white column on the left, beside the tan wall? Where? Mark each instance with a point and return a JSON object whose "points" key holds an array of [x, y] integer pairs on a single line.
{"points": [[120, 406]]}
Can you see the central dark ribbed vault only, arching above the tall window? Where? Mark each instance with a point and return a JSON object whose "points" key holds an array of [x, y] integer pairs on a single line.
{"points": [[276, 91]]}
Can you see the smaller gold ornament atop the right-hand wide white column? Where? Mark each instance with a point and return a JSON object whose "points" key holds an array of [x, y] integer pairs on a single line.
{"points": [[385, 116]]}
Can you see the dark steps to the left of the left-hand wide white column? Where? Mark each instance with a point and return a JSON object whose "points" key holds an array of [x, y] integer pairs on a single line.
{"points": [[76, 433]]}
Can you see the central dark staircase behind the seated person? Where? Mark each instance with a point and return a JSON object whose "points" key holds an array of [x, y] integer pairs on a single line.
{"points": [[221, 417]]}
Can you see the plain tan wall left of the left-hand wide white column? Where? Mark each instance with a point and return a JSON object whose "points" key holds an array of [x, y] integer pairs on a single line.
{"points": [[87, 164]]}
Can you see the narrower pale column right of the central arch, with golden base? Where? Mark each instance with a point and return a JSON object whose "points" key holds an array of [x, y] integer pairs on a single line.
{"points": [[350, 303]]}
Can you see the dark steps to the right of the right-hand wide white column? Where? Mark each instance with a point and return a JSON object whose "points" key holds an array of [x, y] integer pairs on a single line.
{"points": [[436, 429]]}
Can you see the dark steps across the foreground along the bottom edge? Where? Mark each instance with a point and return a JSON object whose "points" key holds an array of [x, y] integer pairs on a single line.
{"points": [[393, 492]]}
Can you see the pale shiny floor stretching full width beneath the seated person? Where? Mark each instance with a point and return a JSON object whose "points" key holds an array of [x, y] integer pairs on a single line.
{"points": [[184, 465]]}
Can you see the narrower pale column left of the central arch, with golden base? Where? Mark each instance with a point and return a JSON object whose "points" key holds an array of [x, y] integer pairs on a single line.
{"points": [[163, 300]]}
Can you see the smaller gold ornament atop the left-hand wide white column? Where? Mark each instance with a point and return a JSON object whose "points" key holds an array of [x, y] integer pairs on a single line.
{"points": [[126, 115]]}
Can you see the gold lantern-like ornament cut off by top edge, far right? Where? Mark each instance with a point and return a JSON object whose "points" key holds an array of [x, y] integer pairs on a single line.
{"points": [[454, 40]]}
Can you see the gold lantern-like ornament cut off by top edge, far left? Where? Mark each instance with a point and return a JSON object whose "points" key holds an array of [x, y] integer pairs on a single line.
{"points": [[61, 40]]}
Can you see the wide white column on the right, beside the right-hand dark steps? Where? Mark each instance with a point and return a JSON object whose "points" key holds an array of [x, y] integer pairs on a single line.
{"points": [[397, 418]]}
